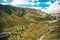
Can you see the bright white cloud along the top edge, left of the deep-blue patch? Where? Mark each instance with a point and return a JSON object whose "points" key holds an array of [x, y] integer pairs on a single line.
{"points": [[26, 2]]}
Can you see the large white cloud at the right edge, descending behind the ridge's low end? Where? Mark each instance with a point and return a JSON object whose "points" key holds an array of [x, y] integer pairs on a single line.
{"points": [[53, 8]]}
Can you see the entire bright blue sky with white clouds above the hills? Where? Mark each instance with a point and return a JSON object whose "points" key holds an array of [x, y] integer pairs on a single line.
{"points": [[48, 6]]}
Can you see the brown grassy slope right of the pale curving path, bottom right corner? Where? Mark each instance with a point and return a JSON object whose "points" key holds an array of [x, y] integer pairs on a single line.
{"points": [[55, 34]]}
